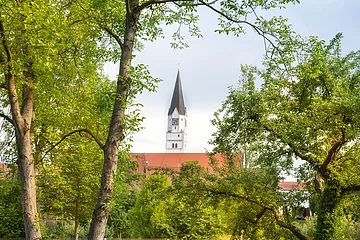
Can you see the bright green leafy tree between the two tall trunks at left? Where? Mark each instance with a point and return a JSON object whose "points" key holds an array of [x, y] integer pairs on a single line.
{"points": [[70, 167]]}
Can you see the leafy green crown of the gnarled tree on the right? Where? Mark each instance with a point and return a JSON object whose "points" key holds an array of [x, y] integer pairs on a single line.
{"points": [[302, 113]]}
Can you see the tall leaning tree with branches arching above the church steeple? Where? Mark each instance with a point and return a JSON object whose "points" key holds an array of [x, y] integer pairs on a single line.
{"points": [[140, 20]]}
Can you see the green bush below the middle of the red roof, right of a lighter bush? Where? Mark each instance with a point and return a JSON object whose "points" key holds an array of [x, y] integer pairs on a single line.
{"points": [[194, 215]]}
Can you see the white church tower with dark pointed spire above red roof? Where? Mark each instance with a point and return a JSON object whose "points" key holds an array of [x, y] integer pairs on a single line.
{"points": [[176, 139]]}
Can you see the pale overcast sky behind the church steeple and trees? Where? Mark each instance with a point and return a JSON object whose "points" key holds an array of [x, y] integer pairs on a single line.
{"points": [[212, 64]]}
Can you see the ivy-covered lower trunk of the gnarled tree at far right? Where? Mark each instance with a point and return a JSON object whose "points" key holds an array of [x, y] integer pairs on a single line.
{"points": [[329, 214]]}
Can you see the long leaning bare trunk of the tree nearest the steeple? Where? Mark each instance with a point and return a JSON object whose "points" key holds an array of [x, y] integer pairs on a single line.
{"points": [[116, 130]]}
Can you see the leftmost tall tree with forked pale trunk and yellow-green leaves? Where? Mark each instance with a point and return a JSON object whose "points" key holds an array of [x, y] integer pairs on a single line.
{"points": [[39, 39]]}
